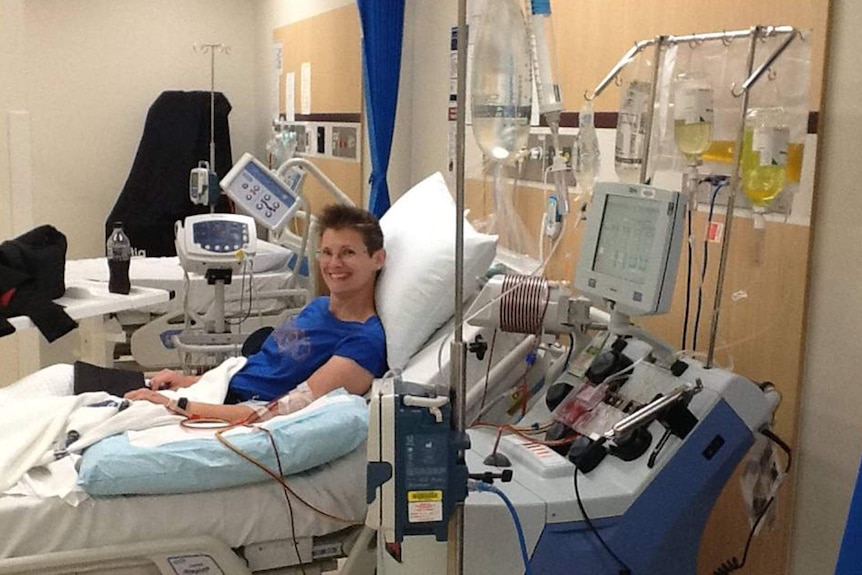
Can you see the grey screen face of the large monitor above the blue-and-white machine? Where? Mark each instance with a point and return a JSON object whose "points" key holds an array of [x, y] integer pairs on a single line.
{"points": [[627, 233]]}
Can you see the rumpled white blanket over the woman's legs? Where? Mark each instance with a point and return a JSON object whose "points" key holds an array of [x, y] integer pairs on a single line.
{"points": [[40, 429]]}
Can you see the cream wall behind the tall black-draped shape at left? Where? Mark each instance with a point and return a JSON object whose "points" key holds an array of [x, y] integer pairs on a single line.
{"points": [[76, 81]]}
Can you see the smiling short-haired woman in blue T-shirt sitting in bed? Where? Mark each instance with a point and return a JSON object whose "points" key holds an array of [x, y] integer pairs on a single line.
{"points": [[336, 341]]}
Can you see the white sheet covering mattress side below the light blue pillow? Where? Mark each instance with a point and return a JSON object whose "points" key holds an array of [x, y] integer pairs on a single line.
{"points": [[237, 516]]}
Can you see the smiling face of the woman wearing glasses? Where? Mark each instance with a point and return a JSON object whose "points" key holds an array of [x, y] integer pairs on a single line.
{"points": [[345, 263]]}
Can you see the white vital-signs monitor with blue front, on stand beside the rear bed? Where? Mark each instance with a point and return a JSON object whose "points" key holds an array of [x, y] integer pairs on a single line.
{"points": [[215, 241]]}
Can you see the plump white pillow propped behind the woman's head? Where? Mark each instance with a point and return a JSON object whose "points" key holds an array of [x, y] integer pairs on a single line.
{"points": [[416, 289]]}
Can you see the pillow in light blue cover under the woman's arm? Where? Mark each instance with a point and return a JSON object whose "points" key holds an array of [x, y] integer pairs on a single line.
{"points": [[329, 428]]}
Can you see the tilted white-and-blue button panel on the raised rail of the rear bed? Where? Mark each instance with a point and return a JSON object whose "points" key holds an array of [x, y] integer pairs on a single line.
{"points": [[266, 197]]}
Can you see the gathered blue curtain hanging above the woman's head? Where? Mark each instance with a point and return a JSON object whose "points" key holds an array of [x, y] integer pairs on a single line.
{"points": [[382, 31]]}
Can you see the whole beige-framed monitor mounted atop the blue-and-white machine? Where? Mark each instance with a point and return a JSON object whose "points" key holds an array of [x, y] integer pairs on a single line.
{"points": [[630, 248]]}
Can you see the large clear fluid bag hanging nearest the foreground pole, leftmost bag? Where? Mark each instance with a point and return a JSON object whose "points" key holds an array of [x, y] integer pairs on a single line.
{"points": [[501, 81]]}
